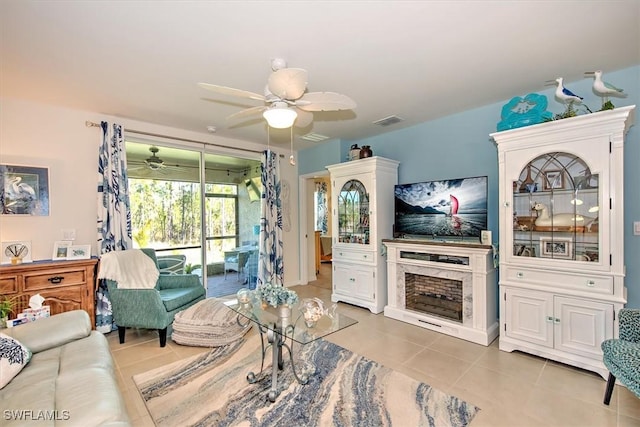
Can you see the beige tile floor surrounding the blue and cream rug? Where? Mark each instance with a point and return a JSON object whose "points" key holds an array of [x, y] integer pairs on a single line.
{"points": [[512, 389]]}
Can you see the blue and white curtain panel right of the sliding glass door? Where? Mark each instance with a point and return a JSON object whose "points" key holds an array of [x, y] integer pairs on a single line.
{"points": [[270, 266]]}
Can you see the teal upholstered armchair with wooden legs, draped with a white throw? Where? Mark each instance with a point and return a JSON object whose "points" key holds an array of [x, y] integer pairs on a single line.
{"points": [[154, 308]]}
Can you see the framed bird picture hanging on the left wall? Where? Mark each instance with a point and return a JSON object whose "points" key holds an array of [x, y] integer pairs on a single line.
{"points": [[24, 190]]}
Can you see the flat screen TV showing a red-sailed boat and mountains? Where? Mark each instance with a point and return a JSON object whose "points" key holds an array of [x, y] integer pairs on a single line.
{"points": [[445, 209]]}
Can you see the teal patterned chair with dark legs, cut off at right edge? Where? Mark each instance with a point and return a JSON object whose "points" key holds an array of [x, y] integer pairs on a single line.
{"points": [[622, 356]]}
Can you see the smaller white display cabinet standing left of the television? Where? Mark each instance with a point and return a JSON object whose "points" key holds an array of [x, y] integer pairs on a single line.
{"points": [[362, 215]]}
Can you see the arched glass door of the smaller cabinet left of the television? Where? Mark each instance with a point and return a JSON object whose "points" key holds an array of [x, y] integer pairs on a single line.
{"points": [[353, 213]]}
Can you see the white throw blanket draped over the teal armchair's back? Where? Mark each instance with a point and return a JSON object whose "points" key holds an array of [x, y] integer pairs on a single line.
{"points": [[131, 269]]}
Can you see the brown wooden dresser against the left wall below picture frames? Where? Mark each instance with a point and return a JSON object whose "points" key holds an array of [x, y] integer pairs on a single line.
{"points": [[65, 285]]}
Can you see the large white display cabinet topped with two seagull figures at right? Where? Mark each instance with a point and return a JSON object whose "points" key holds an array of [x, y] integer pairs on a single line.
{"points": [[561, 236]]}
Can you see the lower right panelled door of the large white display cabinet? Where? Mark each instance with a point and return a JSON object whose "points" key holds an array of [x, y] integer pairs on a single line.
{"points": [[582, 325]]}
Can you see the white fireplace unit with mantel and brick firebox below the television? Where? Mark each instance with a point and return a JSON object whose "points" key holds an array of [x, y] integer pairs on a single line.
{"points": [[449, 288]]}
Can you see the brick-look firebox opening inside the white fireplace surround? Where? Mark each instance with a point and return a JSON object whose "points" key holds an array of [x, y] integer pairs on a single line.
{"points": [[434, 295]]}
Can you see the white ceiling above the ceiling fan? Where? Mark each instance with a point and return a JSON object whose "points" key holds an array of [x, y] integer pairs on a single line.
{"points": [[419, 60]]}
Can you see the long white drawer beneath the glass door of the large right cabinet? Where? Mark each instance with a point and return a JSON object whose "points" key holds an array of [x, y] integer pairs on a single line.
{"points": [[603, 285]]}
